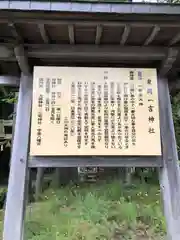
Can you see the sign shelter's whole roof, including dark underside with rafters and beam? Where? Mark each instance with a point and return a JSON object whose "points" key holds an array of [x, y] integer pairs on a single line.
{"points": [[89, 34]]}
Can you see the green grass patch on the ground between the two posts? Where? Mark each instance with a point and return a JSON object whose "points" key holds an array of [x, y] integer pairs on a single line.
{"points": [[103, 211]]}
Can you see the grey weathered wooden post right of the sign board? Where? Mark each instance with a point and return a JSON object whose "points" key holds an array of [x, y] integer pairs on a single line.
{"points": [[169, 173]]}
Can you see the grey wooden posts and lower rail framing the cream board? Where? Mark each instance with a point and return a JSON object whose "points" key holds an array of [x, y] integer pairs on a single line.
{"points": [[20, 163]]}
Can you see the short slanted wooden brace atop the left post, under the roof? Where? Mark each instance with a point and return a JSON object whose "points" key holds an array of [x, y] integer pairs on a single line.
{"points": [[22, 59]]}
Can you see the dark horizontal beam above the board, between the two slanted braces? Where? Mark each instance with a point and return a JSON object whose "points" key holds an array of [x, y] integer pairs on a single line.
{"points": [[86, 51]]}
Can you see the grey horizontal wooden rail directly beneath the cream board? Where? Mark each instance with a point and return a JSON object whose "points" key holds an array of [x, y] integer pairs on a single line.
{"points": [[94, 162]]}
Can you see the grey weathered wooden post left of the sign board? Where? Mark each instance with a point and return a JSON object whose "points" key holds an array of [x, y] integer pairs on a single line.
{"points": [[15, 202]]}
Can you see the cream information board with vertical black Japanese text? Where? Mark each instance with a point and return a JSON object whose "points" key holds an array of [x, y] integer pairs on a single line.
{"points": [[95, 111]]}
